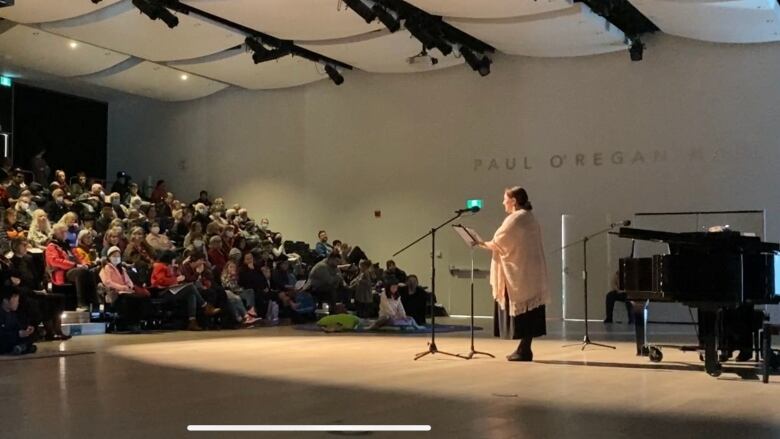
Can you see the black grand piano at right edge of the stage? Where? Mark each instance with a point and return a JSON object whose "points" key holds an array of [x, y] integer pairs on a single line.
{"points": [[711, 271]]}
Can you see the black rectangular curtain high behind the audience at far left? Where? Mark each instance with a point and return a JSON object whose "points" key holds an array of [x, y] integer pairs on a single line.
{"points": [[71, 129]]}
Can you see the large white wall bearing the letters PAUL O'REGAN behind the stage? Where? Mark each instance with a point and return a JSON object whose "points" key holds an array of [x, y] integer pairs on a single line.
{"points": [[702, 116]]}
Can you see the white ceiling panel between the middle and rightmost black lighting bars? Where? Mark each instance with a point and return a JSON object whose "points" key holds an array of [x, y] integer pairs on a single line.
{"points": [[576, 31]]}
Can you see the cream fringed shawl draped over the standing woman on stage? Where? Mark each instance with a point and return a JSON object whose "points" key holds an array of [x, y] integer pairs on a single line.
{"points": [[518, 265]]}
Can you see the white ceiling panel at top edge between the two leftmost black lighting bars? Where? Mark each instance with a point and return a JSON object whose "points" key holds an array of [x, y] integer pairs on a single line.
{"points": [[291, 19]]}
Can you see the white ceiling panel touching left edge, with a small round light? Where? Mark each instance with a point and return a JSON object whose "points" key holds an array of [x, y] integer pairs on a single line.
{"points": [[31, 48]]}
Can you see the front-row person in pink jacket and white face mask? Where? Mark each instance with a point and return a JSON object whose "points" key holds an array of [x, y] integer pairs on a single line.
{"points": [[130, 303]]}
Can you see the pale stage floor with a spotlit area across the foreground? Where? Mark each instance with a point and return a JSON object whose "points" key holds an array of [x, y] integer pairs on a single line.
{"points": [[150, 386]]}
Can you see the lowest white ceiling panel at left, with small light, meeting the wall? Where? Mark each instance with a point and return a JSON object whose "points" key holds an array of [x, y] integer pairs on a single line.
{"points": [[158, 82]]}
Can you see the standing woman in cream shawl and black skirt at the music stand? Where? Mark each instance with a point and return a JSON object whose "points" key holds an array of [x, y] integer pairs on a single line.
{"points": [[518, 275]]}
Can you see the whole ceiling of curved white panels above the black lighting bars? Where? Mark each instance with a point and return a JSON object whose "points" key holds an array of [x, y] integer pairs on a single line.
{"points": [[112, 45]]}
